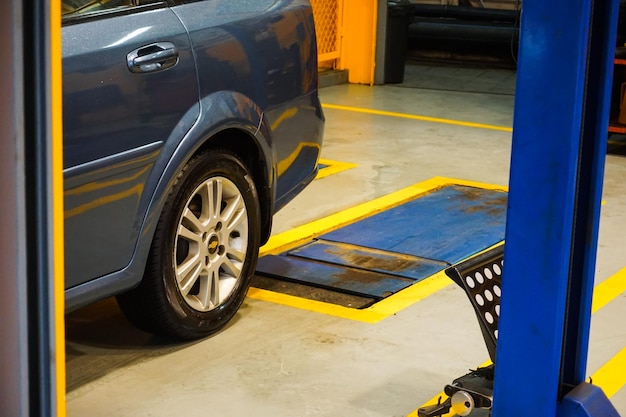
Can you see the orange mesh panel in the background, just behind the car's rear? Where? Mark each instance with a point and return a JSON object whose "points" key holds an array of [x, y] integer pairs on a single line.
{"points": [[327, 15]]}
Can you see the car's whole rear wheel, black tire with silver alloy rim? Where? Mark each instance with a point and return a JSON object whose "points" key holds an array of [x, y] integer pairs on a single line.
{"points": [[203, 253]]}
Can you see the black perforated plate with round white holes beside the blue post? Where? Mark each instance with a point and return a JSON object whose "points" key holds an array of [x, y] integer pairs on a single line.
{"points": [[481, 278]]}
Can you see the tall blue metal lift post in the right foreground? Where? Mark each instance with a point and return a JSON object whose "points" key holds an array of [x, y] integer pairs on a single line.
{"points": [[559, 143]]}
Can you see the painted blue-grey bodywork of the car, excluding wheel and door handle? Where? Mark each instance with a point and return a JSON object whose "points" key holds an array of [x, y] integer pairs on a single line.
{"points": [[230, 87]]}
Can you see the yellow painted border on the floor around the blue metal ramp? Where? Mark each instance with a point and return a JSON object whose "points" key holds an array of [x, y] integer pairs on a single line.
{"points": [[390, 305]]}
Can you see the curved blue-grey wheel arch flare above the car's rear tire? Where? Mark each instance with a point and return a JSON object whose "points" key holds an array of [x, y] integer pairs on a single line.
{"points": [[230, 121]]}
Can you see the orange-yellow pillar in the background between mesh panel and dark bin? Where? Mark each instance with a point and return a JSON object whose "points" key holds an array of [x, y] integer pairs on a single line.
{"points": [[358, 47]]}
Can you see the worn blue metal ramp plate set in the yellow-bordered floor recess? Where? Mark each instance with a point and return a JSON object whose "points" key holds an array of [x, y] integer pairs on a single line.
{"points": [[382, 254]]}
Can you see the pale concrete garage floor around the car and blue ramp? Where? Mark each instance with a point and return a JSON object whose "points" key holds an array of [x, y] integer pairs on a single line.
{"points": [[278, 360]]}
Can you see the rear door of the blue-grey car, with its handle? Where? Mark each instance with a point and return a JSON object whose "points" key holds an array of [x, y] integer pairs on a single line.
{"points": [[129, 83]]}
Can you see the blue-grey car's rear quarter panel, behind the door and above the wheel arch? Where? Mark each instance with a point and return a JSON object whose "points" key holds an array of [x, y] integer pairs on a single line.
{"points": [[269, 58]]}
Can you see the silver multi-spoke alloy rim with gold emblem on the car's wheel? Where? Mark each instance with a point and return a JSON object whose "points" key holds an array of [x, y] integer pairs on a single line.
{"points": [[211, 244]]}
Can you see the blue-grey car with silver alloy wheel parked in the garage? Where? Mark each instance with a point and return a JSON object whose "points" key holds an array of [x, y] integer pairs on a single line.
{"points": [[187, 125]]}
